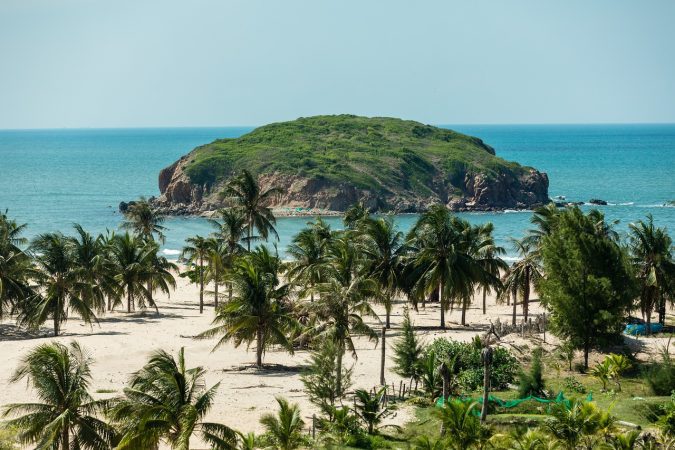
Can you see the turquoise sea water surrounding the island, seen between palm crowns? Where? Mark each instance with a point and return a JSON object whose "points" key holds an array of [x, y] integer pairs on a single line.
{"points": [[51, 179]]}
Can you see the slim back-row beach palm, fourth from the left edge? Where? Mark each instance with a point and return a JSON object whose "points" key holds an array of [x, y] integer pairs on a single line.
{"points": [[132, 260]]}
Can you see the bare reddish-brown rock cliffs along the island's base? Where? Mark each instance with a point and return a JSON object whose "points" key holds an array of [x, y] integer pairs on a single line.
{"points": [[477, 192]]}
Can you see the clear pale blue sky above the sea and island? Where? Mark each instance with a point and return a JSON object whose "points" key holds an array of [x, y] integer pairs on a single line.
{"points": [[132, 63]]}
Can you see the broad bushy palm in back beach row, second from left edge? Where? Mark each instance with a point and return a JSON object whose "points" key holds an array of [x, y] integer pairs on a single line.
{"points": [[59, 283]]}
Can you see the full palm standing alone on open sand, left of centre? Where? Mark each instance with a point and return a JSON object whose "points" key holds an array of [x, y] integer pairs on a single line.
{"points": [[260, 310]]}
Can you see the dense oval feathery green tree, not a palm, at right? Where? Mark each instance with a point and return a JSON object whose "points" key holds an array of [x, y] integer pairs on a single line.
{"points": [[589, 285]]}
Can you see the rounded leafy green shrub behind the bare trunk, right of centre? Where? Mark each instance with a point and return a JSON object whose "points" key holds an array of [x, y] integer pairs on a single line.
{"points": [[470, 368]]}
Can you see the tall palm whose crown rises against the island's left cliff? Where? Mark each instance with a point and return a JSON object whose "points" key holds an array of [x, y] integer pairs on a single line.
{"points": [[253, 202]]}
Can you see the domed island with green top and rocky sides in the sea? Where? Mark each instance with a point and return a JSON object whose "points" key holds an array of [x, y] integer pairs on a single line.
{"points": [[327, 163]]}
